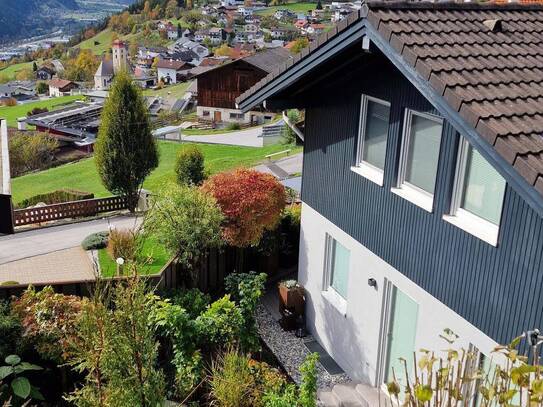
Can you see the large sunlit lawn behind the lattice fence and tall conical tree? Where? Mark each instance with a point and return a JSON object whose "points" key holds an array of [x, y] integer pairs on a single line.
{"points": [[82, 175]]}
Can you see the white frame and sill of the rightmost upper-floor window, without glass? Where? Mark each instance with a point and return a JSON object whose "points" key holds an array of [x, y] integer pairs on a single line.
{"points": [[461, 218]]}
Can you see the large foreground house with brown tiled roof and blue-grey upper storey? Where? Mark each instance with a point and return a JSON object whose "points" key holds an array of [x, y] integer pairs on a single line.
{"points": [[422, 182]]}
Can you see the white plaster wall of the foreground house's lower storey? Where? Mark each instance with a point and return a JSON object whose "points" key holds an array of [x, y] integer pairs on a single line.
{"points": [[353, 339]]}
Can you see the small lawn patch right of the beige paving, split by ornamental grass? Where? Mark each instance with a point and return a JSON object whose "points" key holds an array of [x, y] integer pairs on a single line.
{"points": [[153, 257]]}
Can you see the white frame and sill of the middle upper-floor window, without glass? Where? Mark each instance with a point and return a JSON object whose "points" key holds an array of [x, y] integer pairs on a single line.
{"points": [[410, 192]]}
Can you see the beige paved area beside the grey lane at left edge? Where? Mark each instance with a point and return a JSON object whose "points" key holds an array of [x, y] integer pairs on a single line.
{"points": [[60, 266]]}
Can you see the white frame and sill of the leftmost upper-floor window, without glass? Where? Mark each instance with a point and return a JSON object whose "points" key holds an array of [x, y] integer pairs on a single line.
{"points": [[362, 167]]}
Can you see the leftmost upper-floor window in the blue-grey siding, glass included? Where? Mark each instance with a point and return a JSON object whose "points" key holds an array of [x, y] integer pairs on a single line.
{"points": [[372, 138]]}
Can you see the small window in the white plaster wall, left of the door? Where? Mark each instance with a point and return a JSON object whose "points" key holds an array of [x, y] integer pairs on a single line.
{"points": [[337, 263]]}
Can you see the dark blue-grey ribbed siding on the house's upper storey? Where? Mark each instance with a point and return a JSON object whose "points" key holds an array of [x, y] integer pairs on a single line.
{"points": [[495, 288]]}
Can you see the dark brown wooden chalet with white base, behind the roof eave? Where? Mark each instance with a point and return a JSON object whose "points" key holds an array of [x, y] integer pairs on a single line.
{"points": [[219, 87]]}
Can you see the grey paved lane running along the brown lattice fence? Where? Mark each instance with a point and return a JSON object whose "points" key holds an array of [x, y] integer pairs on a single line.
{"points": [[52, 239]]}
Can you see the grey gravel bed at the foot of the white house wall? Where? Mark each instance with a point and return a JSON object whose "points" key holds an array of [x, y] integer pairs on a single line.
{"points": [[291, 351]]}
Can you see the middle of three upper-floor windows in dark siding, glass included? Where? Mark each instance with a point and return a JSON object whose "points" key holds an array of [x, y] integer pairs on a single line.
{"points": [[419, 158]]}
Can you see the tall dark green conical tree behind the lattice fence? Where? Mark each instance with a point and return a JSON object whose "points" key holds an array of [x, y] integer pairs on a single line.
{"points": [[125, 151]]}
